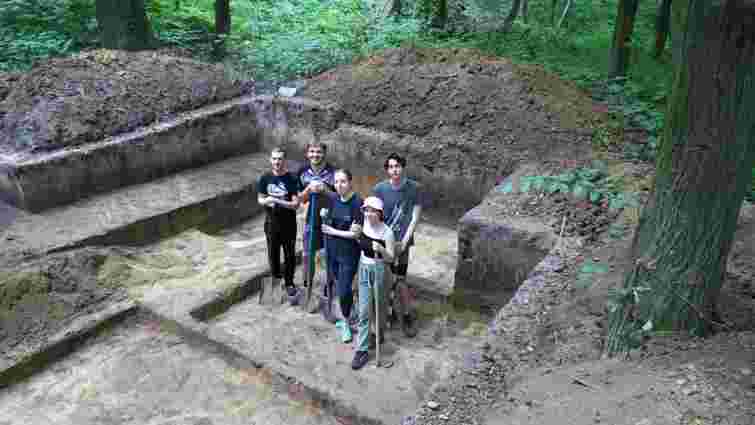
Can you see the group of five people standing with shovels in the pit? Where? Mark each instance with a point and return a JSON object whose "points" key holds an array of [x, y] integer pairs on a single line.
{"points": [[368, 238]]}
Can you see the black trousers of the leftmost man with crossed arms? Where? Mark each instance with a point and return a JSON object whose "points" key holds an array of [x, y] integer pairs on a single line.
{"points": [[281, 234]]}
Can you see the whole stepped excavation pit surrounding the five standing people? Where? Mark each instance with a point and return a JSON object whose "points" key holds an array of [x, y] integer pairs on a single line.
{"points": [[151, 304]]}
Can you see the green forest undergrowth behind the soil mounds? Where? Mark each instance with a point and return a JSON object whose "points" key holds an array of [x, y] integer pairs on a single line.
{"points": [[289, 39]]}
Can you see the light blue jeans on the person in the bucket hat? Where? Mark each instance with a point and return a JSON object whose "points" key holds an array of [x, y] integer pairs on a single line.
{"points": [[369, 275]]}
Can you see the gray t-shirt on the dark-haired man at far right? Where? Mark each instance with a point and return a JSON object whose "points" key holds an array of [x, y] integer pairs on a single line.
{"points": [[398, 204]]}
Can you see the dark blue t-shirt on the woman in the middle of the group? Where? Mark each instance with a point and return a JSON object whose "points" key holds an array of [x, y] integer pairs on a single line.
{"points": [[341, 216]]}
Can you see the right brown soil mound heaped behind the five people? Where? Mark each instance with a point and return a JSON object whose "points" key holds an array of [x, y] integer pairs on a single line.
{"points": [[457, 99]]}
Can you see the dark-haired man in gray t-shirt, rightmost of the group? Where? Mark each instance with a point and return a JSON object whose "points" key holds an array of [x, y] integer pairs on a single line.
{"points": [[402, 206]]}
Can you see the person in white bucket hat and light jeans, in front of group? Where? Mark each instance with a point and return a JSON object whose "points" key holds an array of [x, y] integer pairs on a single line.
{"points": [[376, 244]]}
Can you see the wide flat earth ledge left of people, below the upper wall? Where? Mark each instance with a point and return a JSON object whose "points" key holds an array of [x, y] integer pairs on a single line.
{"points": [[220, 194]]}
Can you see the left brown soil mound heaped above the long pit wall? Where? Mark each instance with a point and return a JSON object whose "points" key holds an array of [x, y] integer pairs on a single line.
{"points": [[96, 94]]}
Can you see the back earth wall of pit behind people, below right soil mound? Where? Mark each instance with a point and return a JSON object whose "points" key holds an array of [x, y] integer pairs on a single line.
{"points": [[455, 188]]}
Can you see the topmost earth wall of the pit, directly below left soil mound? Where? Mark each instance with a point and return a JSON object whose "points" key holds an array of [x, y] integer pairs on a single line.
{"points": [[36, 182]]}
